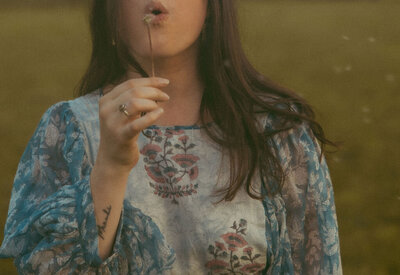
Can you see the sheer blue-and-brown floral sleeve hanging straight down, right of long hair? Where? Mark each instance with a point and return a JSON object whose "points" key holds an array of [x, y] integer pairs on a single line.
{"points": [[309, 200]]}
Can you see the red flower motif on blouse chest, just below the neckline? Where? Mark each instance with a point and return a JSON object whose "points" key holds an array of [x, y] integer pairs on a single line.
{"points": [[167, 164]]}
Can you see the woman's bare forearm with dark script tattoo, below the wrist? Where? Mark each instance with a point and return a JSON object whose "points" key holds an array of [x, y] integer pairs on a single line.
{"points": [[108, 185]]}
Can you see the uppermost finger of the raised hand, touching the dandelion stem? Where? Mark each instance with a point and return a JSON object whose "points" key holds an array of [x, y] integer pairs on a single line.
{"points": [[156, 82]]}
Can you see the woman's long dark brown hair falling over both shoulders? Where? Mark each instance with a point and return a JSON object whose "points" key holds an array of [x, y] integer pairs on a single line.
{"points": [[235, 93]]}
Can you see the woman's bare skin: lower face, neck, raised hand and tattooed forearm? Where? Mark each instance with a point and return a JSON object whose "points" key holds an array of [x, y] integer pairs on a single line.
{"points": [[178, 103]]}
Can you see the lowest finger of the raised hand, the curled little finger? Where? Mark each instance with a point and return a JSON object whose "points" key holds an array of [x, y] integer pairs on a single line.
{"points": [[134, 127]]}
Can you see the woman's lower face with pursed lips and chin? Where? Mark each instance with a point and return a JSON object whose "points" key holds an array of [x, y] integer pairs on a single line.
{"points": [[173, 36]]}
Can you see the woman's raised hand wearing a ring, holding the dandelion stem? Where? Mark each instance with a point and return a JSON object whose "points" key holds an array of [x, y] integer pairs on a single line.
{"points": [[119, 133]]}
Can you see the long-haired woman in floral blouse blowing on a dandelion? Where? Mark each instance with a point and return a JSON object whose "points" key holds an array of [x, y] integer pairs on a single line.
{"points": [[125, 180]]}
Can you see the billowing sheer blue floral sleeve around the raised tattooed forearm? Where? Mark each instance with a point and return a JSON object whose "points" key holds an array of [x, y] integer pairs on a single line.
{"points": [[51, 225]]}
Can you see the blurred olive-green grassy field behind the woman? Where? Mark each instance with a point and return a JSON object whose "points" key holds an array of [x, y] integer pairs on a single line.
{"points": [[342, 56]]}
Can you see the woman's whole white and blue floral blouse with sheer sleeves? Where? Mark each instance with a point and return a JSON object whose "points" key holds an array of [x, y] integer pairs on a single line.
{"points": [[169, 223]]}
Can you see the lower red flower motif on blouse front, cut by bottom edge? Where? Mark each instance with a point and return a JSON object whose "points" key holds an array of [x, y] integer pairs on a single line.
{"points": [[224, 263]]}
